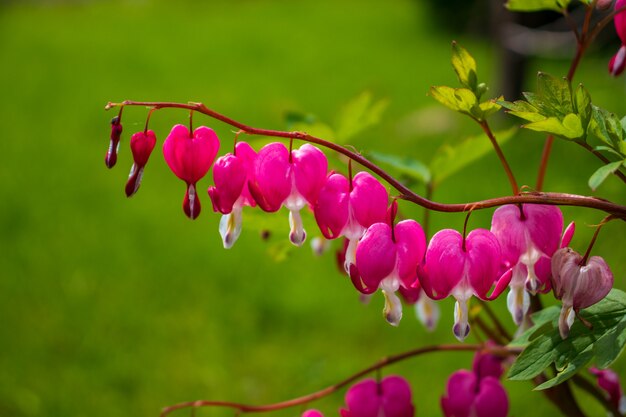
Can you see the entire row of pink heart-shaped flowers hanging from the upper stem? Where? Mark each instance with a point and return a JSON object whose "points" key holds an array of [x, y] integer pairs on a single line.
{"points": [[525, 249]]}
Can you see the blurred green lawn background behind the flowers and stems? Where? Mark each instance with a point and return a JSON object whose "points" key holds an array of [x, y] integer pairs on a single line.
{"points": [[118, 307]]}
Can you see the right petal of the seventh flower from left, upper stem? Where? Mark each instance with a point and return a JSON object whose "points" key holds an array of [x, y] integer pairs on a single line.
{"points": [[410, 247]]}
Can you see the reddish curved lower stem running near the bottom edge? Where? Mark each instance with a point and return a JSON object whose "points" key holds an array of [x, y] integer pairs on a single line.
{"points": [[245, 408]]}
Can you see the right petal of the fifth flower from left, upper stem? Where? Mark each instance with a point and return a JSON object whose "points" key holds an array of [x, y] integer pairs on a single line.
{"points": [[309, 170]]}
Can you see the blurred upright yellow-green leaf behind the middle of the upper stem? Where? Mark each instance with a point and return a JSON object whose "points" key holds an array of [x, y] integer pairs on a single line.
{"points": [[358, 115]]}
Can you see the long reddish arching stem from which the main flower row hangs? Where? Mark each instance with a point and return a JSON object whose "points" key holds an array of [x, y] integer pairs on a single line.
{"points": [[405, 193]]}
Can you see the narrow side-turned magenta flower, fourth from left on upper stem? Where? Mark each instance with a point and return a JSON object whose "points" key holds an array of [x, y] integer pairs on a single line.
{"points": [[231, 175]]}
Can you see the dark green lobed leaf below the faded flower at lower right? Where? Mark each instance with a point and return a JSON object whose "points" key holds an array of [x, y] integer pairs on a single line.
{"points": [[604, 341]]}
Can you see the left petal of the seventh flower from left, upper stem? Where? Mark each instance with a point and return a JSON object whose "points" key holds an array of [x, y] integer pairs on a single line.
{"points": [[376, 254]]}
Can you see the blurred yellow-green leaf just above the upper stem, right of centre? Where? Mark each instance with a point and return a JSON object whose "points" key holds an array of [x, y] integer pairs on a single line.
{"points": [[450, 159]]}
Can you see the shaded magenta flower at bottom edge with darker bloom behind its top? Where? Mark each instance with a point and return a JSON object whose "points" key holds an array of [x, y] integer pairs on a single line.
{"points": [[476, 393]]}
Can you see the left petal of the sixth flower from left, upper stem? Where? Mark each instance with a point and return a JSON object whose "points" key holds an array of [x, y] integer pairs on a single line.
{"points": [[331, 208]]}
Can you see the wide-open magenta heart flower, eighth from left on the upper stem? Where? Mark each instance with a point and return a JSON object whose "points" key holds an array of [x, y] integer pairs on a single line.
{"points": [[462, 268]]}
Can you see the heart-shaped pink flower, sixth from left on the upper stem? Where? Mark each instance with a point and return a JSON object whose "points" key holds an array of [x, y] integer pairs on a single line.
{"points": [[348, 207]]}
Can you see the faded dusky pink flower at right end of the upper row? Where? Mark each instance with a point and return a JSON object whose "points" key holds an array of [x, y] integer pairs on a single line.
{"points": [[578, 283]]}
